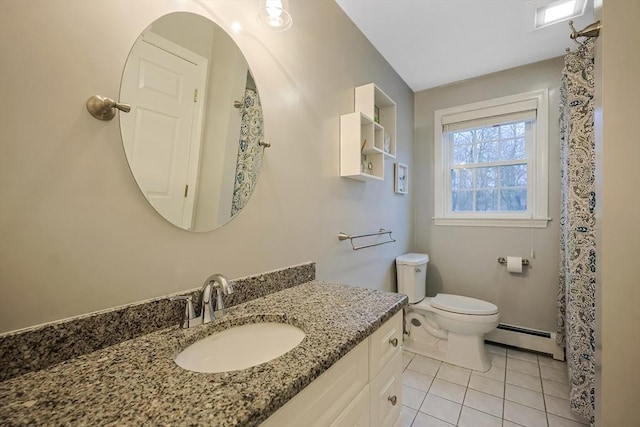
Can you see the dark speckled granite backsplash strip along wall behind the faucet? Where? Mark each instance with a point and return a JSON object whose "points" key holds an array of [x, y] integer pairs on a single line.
{"points": [[45, 346]]}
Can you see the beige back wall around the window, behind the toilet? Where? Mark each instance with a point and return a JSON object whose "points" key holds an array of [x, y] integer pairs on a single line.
{"points": [[463, 260]]}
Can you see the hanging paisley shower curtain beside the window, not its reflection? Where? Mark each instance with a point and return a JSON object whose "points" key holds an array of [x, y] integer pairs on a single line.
{"points": [[576, 291]]}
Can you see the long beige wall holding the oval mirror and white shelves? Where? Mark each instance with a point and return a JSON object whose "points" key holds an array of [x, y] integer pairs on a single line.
{"points": [[76, 233]]}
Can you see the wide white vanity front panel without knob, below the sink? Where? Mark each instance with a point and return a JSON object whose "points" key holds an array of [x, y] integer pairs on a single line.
{"points": [[325, 398]]}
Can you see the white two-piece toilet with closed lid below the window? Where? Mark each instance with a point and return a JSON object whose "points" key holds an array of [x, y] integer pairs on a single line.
{"points": [[446, 327]]}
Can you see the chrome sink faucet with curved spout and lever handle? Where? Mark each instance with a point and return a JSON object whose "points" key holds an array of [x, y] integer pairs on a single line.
{"points": [[211, 301]]}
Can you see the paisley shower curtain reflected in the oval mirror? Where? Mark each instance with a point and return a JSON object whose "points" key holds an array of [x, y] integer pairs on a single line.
{"points": [[250, 152]]}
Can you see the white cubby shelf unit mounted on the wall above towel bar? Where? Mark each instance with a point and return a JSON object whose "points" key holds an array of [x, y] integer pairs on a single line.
{"points": [[367, 135]]}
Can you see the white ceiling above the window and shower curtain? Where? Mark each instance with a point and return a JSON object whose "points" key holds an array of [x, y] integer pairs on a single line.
{"points": [[435, 42]]}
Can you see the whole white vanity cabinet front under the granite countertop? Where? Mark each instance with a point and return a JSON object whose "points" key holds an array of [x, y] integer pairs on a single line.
{"points": [[361, 389]]}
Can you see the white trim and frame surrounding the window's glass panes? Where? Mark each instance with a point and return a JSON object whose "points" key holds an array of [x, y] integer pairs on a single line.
{"points": [[538, 216]]}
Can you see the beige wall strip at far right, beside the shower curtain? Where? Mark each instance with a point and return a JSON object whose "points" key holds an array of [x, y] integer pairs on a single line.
{"points": [[618, 214]]}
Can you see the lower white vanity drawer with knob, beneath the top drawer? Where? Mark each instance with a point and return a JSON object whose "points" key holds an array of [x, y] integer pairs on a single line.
{"points": [[386, 394]]}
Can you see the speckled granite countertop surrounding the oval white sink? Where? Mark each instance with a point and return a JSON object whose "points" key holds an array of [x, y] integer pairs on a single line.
{"points": [[137, 382]]}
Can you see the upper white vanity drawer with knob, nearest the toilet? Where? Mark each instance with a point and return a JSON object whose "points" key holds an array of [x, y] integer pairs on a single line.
{"points": [[381, 344]]}
